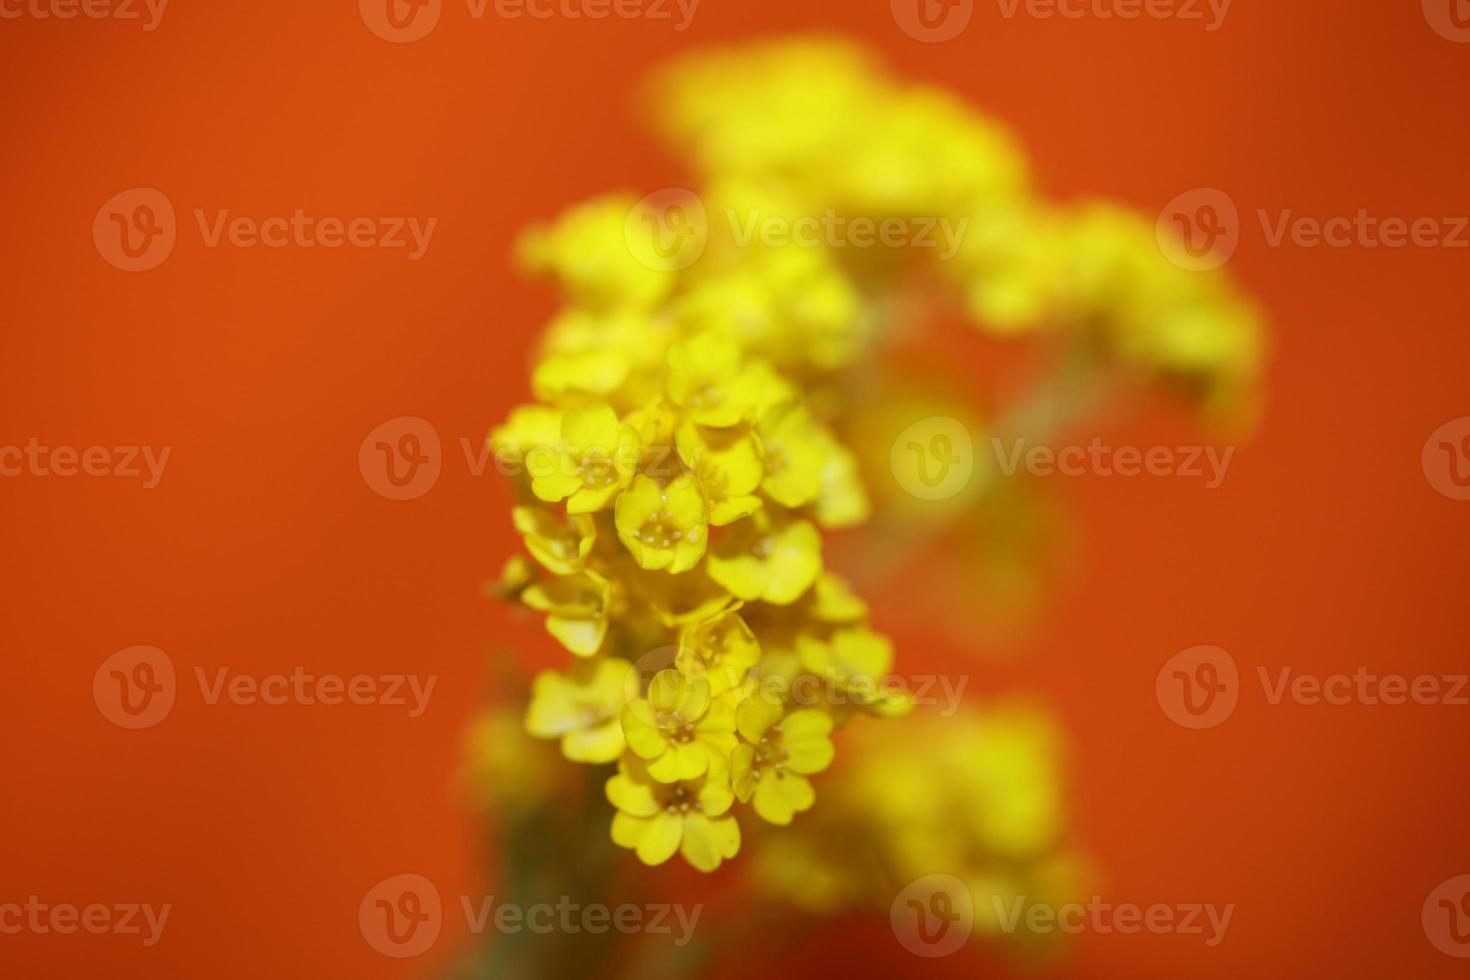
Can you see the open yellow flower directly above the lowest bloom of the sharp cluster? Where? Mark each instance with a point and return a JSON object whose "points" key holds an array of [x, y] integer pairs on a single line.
{"points": [[680, 731]]}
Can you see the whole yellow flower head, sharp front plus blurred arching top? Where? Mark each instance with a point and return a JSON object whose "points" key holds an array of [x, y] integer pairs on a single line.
{"points": [[681, 464]]}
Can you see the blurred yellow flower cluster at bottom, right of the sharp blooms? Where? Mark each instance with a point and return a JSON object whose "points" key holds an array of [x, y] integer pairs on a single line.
{"points": [[996, 821]]}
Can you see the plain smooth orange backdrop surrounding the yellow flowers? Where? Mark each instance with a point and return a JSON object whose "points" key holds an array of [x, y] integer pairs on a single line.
{"points": [[262, 549]]}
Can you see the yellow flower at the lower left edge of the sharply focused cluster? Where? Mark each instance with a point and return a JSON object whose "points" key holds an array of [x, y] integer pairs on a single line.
{"points": [[583, 709]]}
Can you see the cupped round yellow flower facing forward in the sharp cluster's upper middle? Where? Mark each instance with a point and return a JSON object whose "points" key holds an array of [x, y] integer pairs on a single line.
{"points": [[664, 527]]}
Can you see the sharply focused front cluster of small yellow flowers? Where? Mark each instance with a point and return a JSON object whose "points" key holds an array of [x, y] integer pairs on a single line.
{"points": [[674, 487]]}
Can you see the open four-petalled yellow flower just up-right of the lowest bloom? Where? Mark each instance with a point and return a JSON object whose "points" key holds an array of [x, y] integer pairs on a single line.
{"points": [[780, 752]]}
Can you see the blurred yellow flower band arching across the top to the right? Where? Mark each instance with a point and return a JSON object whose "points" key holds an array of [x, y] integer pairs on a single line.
{"points": [[815, 126]]}
